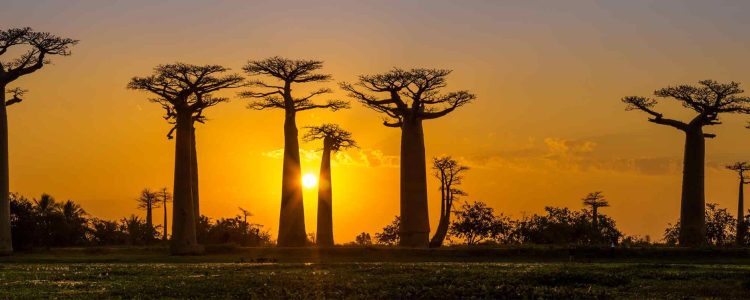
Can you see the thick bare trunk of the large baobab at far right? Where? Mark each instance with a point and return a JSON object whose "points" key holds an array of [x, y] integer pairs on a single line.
{"points": [[692, 210]]}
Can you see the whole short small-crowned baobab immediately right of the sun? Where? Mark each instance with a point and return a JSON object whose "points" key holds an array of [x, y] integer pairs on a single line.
{"points": [[334, 139]]}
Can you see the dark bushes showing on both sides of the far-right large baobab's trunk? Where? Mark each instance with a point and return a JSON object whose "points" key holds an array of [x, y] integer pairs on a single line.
{"points": [[720, 229]]}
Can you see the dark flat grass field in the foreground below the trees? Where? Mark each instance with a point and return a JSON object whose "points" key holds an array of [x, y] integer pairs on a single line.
{"points": [[366, 274]]}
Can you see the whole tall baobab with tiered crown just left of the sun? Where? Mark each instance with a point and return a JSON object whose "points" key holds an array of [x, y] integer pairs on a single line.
{"points": [[279, 95]]}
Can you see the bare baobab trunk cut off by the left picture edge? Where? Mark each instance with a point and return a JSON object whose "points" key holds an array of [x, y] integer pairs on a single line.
{"points": [[6, 242]]}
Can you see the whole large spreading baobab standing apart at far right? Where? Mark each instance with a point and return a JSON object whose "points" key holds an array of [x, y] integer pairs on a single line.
{"points": [[708, 99]]}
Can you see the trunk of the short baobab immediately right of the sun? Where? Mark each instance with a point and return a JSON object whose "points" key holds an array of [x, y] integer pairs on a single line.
{"points": [[325, 199]]}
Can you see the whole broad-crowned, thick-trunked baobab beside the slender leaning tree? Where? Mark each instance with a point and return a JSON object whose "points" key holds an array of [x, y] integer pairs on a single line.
{"points": [[410, 97]]}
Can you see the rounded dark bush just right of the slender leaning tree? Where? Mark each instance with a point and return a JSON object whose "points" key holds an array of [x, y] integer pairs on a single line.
{"points": [[476, 222]]}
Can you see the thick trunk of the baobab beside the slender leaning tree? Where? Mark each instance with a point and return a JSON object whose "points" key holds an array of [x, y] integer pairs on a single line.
{"points": [[415, 223]]}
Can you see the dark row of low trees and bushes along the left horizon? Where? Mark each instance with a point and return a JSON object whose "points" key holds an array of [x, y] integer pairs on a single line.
{"points": [[46, 223]]}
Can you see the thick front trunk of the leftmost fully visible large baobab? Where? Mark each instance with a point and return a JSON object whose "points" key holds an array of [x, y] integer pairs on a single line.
{"points": [[183, 219]]}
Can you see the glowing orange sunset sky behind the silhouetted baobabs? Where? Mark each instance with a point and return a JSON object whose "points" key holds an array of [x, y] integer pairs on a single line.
{"points": [[546, 129]]}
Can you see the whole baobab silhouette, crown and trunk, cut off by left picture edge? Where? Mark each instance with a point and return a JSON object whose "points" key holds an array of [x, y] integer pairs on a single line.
{"points": [[40, 46]]}
